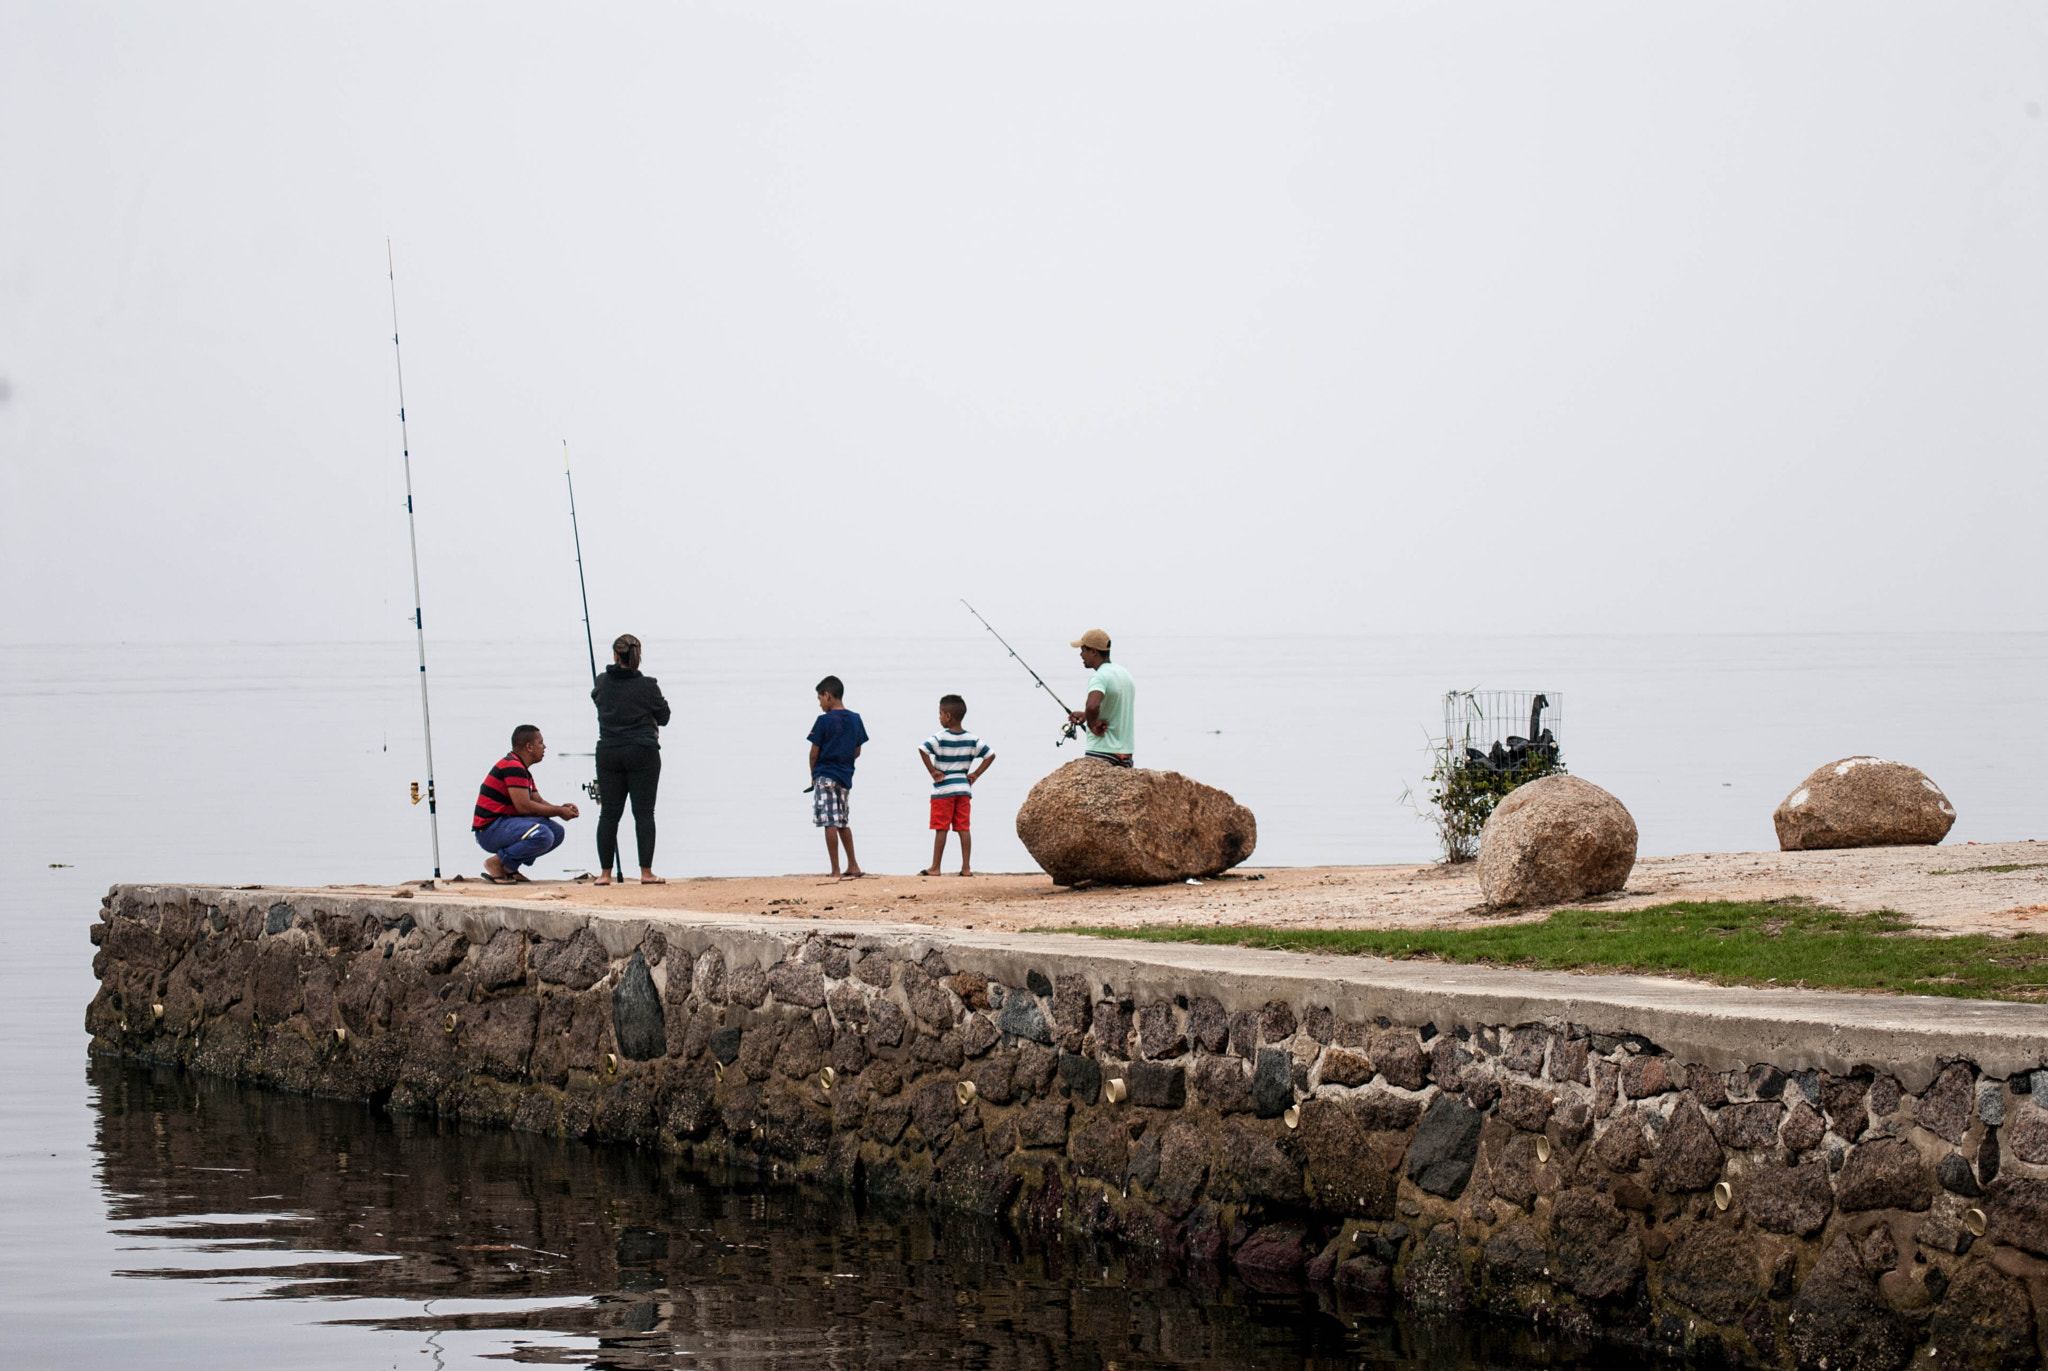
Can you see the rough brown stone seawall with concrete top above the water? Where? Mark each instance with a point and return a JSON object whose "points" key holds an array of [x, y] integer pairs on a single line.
{"points": [[1770, 1177]]}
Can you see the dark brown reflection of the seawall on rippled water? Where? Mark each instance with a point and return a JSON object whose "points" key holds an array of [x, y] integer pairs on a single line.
{"points": [[564, 1253]]}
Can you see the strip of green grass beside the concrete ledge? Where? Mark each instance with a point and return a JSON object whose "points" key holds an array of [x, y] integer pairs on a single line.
{"points": [[1732, 944]]}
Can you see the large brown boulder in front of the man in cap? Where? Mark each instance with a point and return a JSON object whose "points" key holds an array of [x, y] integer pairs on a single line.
{"points": [[1129, 827]]}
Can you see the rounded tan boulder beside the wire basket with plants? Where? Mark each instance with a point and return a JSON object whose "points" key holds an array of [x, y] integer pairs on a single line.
{"points": [[1555, 839]]}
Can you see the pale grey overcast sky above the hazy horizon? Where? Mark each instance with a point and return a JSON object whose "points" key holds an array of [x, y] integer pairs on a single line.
{"points": [[1181, 319]]}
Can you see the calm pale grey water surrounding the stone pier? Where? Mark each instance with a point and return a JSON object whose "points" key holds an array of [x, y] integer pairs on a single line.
{"points": [[155, 1220]]}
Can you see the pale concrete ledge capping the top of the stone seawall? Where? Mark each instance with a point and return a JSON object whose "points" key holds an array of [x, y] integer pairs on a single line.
{"points": [[1711, 1026]]}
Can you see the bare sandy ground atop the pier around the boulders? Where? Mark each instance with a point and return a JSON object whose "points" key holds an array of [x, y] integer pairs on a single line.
{"points": [[1947, 888]]}
